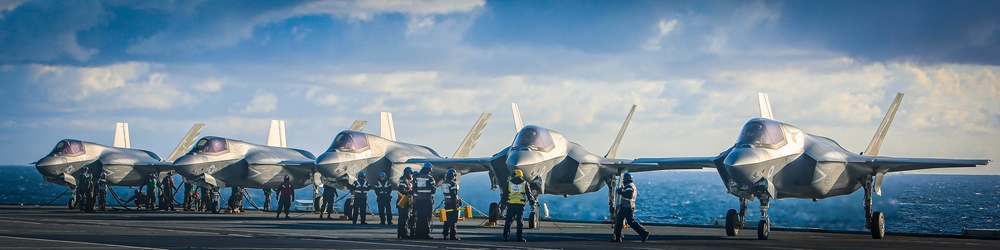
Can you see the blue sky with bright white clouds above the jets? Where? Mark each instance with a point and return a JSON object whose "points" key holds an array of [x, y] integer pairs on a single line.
{"points": [[71, 69]]}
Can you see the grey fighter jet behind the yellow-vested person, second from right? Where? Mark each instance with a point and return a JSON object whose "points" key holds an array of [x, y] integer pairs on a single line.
{"points": [[552, 164]]}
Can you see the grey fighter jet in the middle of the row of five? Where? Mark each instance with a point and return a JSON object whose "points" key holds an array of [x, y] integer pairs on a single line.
{"points": [[352, 152]]}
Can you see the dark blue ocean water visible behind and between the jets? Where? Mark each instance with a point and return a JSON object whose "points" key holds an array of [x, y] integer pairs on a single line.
{"points": [[912, 203]]}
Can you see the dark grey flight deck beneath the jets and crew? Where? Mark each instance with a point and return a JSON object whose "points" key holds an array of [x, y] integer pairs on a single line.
{"points": [[33, 227]]}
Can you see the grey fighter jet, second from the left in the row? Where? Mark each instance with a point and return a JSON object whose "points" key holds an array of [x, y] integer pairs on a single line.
{"points": [[217, 162]]}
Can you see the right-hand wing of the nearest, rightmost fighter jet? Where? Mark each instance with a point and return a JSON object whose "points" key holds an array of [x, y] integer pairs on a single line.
{"points": [[892, 164]]}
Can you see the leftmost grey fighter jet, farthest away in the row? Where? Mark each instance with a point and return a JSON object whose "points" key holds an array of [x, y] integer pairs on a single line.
{"points": [[122, 165]]}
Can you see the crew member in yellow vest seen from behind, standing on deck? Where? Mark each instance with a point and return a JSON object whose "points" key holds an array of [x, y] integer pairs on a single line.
{"points": [[518, 192]]}
